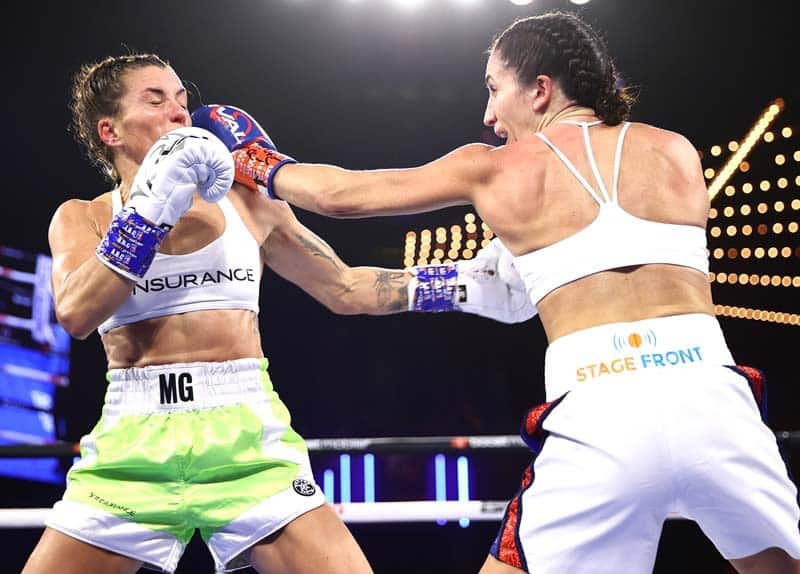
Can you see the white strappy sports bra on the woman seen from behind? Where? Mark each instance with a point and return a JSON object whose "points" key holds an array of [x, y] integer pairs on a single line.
{"points": [[614, 239]]}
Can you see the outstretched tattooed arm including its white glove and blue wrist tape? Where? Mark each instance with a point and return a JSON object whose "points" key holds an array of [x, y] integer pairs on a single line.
{"points": [[487, 285]]}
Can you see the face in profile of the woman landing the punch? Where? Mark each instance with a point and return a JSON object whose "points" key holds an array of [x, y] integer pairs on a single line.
{"points": [[510, 107]]}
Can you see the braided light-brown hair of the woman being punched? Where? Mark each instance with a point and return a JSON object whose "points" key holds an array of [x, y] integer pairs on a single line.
{"points": [[97, 89]]}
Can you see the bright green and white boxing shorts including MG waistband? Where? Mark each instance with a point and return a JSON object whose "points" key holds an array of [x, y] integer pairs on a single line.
{"points": [[181, 447]]}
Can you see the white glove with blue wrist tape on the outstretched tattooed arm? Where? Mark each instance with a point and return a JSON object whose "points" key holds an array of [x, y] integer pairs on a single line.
{"points": [[487, 285]]}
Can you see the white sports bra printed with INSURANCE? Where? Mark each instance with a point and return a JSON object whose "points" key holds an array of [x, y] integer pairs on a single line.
{"points": [[225, 274]]}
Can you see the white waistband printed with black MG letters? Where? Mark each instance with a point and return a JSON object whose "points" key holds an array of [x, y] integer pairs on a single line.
{"points": [[185, 386]]}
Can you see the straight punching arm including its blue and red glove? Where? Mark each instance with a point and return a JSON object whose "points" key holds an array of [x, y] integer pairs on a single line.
{"points": [[451, 180]]}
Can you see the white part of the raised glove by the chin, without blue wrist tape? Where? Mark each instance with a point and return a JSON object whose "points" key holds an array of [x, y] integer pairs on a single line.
{"points": [[180, 163]]}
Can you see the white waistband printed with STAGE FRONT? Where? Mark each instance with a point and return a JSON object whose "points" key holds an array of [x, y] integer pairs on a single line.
{"points": [[618, 350]]}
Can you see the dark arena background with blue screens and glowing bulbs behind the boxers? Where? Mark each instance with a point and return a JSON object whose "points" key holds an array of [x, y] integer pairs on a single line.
{"points": [[391, 83]]}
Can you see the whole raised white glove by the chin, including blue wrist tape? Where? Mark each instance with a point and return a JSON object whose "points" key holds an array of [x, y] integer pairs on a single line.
{"points": [[180, 163]]}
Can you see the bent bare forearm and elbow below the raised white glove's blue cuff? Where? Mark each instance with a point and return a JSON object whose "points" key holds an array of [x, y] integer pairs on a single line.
{"points": [[88, 295]]}
